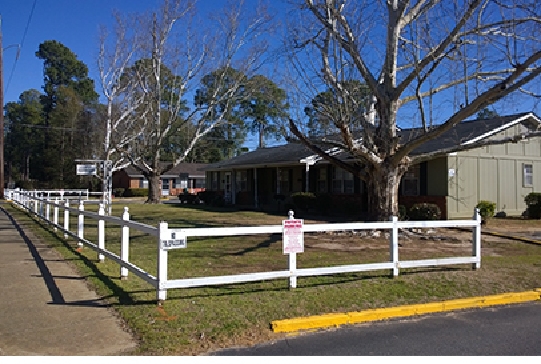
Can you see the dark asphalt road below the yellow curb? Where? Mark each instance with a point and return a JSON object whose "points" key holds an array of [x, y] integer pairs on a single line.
{"points": [[498, 331]]}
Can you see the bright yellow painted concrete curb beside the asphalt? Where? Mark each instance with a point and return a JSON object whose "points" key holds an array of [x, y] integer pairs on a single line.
{"points": [[339, 319]]}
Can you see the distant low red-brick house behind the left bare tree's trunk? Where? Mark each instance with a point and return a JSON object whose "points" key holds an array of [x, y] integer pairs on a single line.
{"points": [[188, 177]]}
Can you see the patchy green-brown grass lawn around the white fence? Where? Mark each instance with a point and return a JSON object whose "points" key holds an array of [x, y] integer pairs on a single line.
{"points": [[197, 320]]}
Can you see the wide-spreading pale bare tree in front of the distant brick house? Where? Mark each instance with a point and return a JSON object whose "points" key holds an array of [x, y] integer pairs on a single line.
{"points": [[175, 53]]}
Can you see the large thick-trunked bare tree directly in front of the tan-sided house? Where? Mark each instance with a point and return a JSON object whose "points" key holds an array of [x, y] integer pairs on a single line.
{"points": [[410, 54]]}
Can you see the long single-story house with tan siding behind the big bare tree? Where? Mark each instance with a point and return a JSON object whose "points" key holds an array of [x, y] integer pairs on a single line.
{"points": [[456, 182]]}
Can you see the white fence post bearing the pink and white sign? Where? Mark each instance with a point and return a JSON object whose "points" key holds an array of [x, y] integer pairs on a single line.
{"points": [[293, 243]]}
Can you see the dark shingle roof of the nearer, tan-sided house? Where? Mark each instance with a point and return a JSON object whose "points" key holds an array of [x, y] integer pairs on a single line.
{"points": [[292, 153]]}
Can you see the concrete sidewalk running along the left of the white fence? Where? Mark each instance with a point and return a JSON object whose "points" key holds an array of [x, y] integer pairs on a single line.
{"points": [[46, 307]]}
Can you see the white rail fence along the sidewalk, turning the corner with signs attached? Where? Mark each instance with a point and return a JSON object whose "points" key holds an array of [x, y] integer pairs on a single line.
{"points": [[292, 231]]}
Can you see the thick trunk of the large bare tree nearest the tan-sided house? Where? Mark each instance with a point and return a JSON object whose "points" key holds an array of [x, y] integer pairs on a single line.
{"points": [[382, 183]]}
